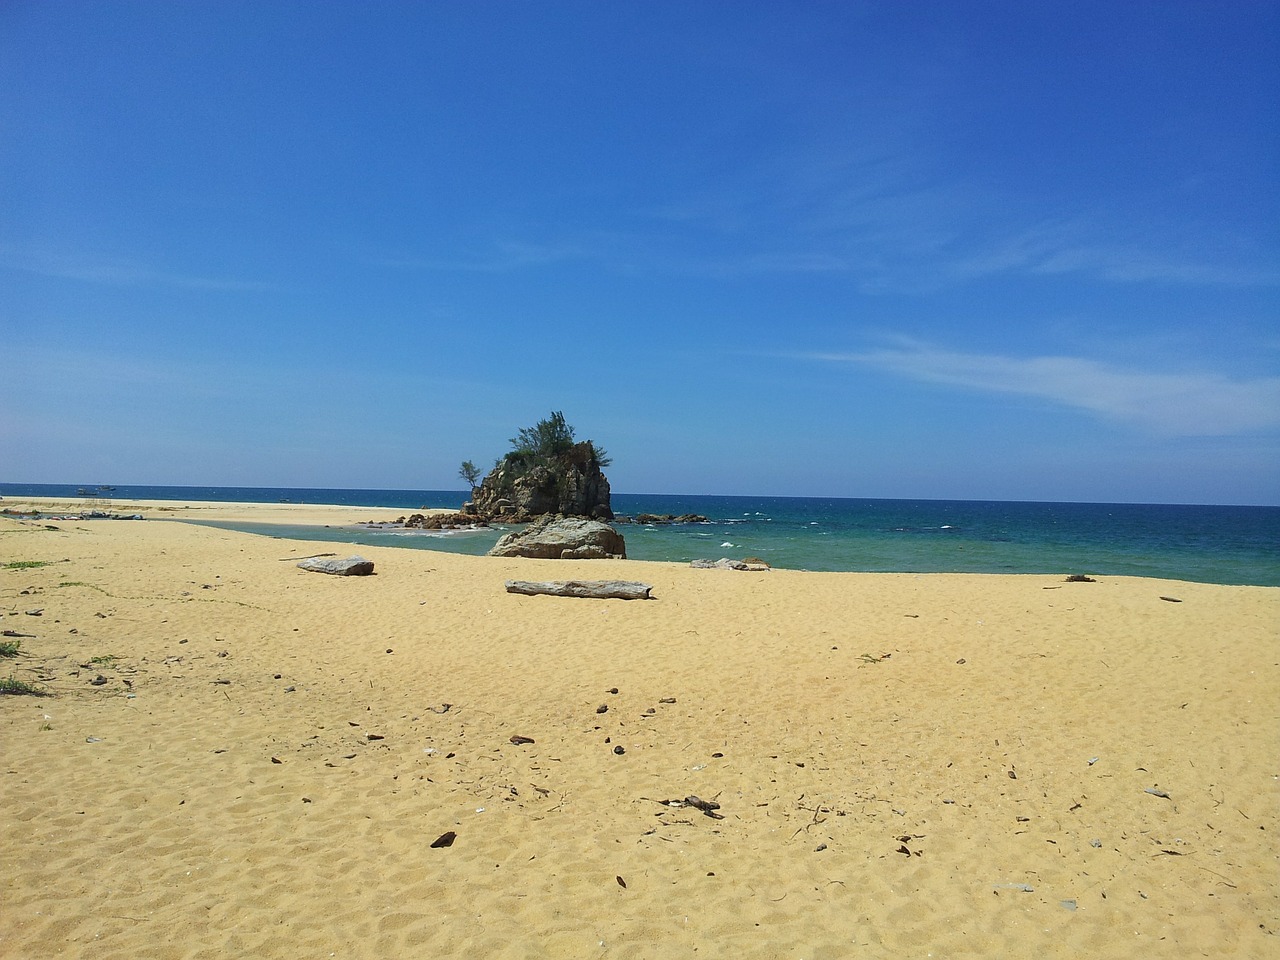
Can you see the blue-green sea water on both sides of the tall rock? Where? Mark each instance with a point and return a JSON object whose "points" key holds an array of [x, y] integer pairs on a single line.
{"points": [[1209, 545]]}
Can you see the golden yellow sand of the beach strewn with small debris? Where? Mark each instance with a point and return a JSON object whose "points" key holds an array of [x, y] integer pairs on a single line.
{"points": [[907, 766]]}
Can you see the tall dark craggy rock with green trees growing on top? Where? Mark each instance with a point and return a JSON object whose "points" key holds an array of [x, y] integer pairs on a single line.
{"points": [[570, 484]]}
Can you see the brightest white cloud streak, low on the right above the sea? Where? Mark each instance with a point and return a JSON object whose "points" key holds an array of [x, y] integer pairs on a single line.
{"points": [[1172, 405]]}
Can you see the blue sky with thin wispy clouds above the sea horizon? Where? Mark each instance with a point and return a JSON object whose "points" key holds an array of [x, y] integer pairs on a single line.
{"points": [[943, 250]]}
